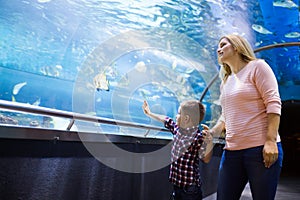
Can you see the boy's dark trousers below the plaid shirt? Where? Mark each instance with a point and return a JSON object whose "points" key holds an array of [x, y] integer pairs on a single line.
{"points": [[192, 192]]}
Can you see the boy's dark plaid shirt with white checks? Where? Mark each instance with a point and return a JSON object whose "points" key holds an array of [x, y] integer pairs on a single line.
{"points": [[186, 146]]}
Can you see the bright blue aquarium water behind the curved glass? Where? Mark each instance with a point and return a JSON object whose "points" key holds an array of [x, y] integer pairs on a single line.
{"points": [[161, 50]]}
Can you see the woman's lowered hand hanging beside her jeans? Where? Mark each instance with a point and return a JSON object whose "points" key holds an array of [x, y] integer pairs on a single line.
{"points": [[270, 153]]}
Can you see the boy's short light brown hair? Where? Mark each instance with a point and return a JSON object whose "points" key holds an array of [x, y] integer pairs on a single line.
{"points": [[194, 109]]}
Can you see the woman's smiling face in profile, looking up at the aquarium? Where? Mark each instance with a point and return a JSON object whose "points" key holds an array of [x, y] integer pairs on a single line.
{"points": [[225, 50]]}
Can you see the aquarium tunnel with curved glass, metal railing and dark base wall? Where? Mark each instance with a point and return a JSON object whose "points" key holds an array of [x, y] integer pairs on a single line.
{"points": [[75, 73]]}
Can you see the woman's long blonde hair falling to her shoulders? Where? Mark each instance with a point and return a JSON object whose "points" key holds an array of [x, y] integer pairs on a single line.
{"points": [[243, 48]]}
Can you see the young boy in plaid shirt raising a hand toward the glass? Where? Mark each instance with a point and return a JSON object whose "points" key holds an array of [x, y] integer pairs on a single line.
{"points": [[189, 146]]}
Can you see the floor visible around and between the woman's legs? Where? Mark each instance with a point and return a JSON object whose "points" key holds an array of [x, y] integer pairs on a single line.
{"points": [[288, 189]]}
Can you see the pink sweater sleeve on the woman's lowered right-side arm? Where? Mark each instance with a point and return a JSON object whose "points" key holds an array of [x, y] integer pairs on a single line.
{"points": [[267, 86]]}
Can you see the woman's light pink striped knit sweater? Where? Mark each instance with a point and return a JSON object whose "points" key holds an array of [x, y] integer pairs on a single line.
{"points": [[246, 98]]}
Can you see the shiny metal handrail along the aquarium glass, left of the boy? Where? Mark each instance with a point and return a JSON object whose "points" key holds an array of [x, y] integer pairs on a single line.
{"points": [[21, 107]]}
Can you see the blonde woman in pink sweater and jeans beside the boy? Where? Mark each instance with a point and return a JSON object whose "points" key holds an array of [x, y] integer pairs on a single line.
{"points": [[251, 109]]}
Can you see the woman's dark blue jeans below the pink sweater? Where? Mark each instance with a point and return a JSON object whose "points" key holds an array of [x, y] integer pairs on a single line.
{"points": [[239, 167]]}
